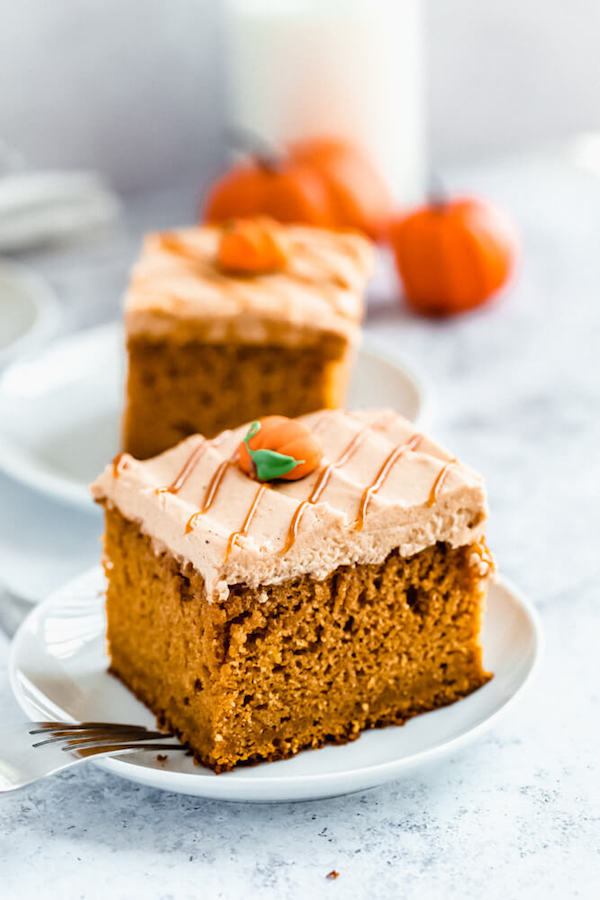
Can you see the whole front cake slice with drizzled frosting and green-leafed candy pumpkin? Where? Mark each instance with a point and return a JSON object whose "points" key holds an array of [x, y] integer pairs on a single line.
{"points": [[293, 582]]}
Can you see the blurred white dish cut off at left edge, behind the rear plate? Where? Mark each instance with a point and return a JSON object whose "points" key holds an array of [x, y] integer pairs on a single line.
{"points": [[28, 311]]}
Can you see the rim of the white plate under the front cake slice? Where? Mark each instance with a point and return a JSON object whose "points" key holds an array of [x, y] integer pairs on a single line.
{"points": [[231, 790]]}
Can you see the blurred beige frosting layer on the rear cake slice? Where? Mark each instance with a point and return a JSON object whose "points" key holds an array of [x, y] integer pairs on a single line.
{"points": [[177, 287]]}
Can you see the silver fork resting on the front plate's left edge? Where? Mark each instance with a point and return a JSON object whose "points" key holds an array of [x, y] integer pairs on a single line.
{"points": [[33, 750]]}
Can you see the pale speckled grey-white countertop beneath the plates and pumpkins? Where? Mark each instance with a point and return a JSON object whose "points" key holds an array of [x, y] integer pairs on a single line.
{"points": [[517, 394]]}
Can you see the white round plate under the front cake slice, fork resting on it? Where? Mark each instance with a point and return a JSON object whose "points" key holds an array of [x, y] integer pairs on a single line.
{"points": [[58, 670]]}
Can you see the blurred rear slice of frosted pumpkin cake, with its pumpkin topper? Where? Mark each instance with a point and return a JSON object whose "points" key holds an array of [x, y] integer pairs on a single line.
{"points": [[226, 323]]}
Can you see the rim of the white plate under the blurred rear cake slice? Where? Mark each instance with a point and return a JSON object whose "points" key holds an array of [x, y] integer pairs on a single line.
{"points": [[71, 491]]}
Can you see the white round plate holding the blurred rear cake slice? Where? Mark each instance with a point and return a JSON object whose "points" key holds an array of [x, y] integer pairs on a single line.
{"points": [[60, 411]]}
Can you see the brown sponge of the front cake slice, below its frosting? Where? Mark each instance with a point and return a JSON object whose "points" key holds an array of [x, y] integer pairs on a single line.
{"points": [[271, 672]]}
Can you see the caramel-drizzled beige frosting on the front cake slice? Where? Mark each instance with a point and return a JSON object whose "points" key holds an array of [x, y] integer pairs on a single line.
{"points": [[387, 487]]}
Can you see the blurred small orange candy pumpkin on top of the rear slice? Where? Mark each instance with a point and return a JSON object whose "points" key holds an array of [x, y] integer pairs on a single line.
{"points": [[252, 247]]}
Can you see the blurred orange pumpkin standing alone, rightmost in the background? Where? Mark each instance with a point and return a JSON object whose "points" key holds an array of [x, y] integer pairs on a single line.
{"points": [[452, 255]]}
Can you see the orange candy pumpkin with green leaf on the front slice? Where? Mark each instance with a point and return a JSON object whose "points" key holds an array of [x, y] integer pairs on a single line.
{"points": [[278, 447]]}
